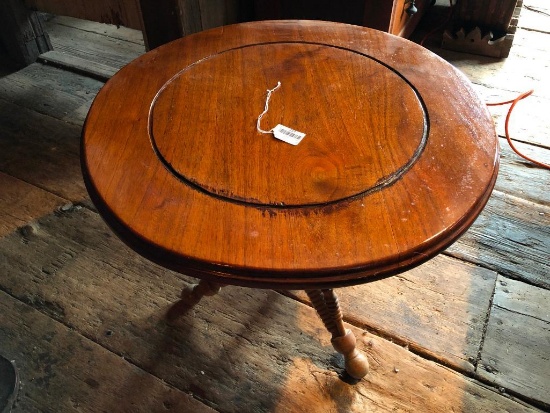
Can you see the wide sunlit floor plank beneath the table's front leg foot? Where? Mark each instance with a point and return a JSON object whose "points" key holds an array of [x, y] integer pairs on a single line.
{"points": [[243, 350]]}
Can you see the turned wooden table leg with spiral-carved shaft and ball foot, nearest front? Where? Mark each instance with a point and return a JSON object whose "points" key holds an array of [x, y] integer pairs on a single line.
{"points": [[343, 341]]}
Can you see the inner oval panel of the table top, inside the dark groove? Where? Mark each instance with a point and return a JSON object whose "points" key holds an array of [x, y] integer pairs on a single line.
{"points": [[344, 153]]}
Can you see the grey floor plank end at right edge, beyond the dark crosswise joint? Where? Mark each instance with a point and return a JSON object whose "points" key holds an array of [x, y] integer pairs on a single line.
{"points": [[516, 352]]}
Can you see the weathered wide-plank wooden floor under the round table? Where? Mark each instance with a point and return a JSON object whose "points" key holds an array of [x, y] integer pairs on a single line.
{"points": [[83, 317]]}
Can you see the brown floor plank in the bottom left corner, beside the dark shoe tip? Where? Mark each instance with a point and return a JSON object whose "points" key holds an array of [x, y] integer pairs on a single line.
{"points": [[62, 371]]}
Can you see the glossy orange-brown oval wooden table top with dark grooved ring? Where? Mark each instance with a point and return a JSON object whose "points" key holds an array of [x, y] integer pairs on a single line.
{"points": [[400, 155]]}
